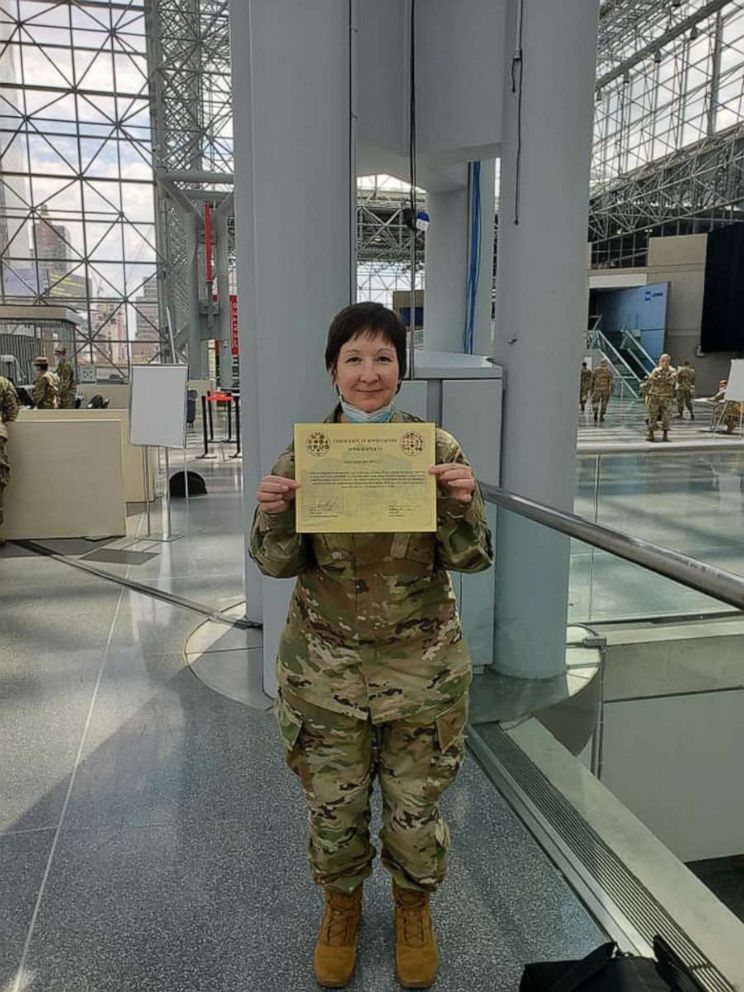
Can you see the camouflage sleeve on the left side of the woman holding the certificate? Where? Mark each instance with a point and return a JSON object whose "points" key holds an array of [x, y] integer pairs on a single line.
{"points": [[275, 546]]}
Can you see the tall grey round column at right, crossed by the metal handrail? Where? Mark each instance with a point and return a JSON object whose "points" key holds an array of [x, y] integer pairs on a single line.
{"points": [[540, 317]]}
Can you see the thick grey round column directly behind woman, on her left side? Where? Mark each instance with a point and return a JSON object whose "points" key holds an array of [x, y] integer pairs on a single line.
{"points": [[291, 112]]}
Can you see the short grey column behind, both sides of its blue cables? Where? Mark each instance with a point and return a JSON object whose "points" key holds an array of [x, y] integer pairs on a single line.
{"points": [[448, 248]]}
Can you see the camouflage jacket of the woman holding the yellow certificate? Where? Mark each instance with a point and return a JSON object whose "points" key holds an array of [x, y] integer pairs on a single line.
{"points": [[373, 628]]}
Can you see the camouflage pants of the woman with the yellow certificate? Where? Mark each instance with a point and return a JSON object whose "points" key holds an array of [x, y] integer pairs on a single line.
{"points": [[337, 759]]}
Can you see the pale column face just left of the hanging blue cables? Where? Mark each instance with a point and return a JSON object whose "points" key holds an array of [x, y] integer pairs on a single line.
{"points": [[446, 270]]}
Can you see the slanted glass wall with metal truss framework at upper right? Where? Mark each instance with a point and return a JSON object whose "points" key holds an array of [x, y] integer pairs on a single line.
{"points": [[669, 124]]}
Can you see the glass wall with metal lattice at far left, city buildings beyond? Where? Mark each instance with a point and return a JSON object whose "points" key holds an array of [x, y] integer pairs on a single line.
{"points": [[76, 188]]}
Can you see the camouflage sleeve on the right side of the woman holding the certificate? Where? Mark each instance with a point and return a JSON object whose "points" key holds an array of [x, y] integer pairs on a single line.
{"points": [[463, 535]]}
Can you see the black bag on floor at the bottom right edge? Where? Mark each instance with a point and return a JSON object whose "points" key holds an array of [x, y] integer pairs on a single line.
{"points": [[607, 970]]}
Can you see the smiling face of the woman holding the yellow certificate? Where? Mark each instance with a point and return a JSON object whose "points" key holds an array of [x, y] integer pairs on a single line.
{"points": [[367, 372]]}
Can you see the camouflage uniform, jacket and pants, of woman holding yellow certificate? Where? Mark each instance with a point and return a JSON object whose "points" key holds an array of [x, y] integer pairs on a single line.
{"points": [[373, 674]]}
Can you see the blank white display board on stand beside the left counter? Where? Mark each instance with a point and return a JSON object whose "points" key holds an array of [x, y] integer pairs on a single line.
{"points": [[157, 406]]}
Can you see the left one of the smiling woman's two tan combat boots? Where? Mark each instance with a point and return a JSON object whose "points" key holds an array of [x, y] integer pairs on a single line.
{"points": [[335, 948]]}
